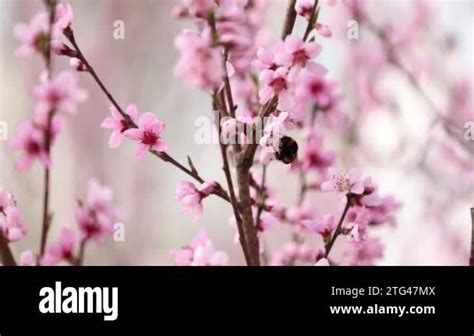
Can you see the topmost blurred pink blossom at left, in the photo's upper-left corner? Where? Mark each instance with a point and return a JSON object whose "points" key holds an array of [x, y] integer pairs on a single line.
{"points": [[34, 37]]}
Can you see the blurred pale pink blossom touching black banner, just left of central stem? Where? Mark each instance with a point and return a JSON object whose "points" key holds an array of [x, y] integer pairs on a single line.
{"points": [[201, 252]]}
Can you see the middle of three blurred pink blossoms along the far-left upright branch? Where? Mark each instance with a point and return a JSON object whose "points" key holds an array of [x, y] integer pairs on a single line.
{"points": [[60, 93]]}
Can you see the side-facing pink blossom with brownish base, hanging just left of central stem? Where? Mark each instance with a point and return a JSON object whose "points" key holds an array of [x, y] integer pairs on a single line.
{"points": [[191, 197]]}
